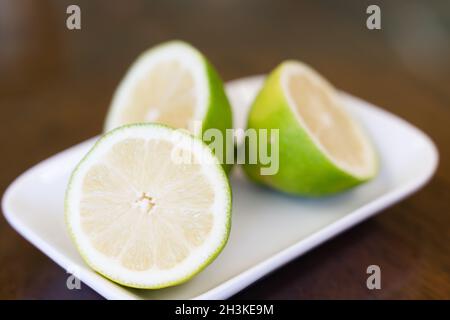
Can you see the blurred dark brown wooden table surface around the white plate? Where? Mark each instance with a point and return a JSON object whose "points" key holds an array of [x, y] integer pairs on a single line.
{"points": [[56, 84]]}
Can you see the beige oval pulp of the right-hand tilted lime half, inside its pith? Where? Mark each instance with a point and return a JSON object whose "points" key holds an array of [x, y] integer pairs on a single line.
{"points": [[319, 107]]}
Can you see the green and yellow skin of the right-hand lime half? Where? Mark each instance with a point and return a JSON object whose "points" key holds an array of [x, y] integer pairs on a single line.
{"points": [[303, 168]]}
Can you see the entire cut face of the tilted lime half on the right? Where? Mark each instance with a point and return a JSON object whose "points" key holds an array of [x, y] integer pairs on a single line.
{"points": [[319, 110]]}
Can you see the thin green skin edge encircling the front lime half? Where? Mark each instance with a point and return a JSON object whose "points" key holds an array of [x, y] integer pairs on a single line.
{"points": [[91, 264]]}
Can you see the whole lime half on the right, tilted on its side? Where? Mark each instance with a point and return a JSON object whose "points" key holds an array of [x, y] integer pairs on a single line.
{"points": [[322, 149]]}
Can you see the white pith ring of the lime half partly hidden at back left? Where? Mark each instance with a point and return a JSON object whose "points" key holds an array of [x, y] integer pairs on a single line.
{"points": [[184, 55]]}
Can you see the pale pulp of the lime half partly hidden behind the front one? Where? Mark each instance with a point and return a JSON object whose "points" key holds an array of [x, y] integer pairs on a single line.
{"points": [[165, 94]]}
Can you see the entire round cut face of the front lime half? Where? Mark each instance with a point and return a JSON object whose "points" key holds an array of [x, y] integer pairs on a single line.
{"points": [[142, 218]]}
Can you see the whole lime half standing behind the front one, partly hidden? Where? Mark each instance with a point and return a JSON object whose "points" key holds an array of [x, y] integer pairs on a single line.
{"points": [[172, 84]]}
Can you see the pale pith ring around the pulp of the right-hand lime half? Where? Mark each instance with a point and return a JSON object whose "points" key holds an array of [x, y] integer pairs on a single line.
{"points": [[367, 167]]}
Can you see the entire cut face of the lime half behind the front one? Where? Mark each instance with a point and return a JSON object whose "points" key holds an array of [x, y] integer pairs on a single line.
{"points": [[167, 84]]}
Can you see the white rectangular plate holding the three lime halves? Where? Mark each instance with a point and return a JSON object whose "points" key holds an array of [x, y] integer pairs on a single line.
{"points": [[268, 228]]}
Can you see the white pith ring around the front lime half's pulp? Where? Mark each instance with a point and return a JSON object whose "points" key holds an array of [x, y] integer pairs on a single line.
{"points": [[198, 256]]}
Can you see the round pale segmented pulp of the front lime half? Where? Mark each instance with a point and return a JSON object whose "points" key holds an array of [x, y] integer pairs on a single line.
{"points": [[142, 209]]}
